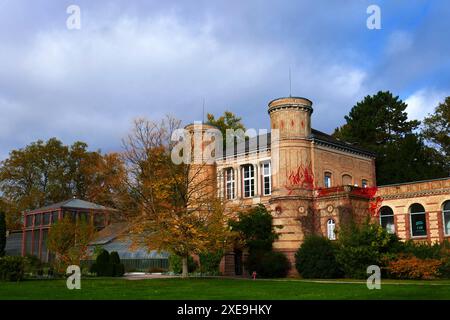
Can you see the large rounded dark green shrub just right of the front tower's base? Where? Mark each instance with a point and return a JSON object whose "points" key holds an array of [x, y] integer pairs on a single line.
{"points": [[316, 259]]}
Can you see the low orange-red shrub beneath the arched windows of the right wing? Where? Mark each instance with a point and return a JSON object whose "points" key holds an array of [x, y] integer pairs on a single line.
{"points": [[414, 268]]}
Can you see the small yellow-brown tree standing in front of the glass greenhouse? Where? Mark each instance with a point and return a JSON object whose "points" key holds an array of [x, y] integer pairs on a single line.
{"points": [[70, 240]]}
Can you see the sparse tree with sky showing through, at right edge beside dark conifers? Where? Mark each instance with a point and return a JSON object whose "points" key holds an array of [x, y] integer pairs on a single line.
{"points": [[436, 128]]}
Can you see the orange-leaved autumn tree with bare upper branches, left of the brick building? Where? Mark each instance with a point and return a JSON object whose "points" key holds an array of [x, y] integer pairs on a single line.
{"points": [[179, 209]]}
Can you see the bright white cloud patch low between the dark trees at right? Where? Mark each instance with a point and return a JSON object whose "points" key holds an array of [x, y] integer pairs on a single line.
{"points": [[423, 102]]}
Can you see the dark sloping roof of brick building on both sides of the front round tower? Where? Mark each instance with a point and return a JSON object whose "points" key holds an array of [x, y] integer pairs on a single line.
{"points": [[263, 142]]}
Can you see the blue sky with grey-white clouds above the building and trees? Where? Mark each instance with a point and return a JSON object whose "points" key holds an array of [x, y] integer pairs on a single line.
{"points": [[133, 59]]}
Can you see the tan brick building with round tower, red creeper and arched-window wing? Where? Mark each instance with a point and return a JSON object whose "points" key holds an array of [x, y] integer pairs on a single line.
{"points": [[312, 183]]}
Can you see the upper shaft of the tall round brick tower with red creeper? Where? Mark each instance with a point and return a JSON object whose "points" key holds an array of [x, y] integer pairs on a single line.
{"points": [[290, 120]]}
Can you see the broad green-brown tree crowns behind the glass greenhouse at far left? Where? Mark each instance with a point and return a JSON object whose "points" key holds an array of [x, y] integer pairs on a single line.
{"points": [[48, 172]]}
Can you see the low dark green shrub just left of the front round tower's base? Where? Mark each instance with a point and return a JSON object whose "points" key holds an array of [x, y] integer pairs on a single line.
{"points": [[268, 264]]}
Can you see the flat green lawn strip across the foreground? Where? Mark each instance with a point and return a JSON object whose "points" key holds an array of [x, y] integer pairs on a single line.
{"points": [[215, 288]]}
